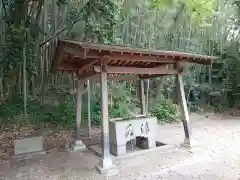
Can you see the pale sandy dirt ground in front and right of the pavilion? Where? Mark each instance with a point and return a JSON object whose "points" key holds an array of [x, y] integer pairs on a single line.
{"points": [[215, 156]]}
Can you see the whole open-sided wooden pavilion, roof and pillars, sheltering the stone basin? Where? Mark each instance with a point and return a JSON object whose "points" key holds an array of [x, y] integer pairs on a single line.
{"points": [[86, 61]]}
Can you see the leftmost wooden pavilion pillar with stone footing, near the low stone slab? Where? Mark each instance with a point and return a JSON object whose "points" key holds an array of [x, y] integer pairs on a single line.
{"points": [[79, 144]]}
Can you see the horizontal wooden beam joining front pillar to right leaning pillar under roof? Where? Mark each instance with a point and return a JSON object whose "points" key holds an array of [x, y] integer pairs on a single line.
{"points": [[133, 70]]}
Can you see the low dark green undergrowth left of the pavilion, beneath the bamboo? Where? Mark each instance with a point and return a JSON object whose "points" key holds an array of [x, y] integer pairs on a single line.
{"points": [[62, 115]]}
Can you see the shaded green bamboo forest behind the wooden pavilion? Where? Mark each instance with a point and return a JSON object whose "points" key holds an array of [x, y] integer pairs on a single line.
{"points": [[29, 30]]}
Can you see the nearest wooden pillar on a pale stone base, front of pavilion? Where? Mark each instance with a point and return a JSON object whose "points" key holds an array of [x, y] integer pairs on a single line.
{"points": [[105, 165]]}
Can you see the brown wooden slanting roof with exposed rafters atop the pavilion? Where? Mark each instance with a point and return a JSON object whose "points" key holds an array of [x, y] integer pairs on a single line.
{"points": [[85, 59]]}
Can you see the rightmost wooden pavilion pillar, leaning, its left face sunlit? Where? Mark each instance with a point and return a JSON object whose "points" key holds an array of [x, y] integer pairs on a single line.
{"points": [[184, 109]]}
